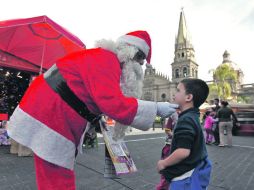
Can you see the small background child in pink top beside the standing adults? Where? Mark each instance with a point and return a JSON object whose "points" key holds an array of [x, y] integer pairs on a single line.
{"points": [[209, 121]]}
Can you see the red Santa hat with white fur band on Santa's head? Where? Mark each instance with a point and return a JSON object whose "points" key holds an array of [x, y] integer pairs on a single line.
{"points": [[141, 40]]}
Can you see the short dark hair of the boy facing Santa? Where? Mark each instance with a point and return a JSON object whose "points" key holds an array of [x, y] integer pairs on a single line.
{"points": [[198, 88]]}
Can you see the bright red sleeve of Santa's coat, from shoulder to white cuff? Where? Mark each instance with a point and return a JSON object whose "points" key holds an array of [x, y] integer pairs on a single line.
{"points": [[101, 77]]}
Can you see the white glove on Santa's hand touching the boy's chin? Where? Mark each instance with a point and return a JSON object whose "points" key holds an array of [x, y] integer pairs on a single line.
{"points": [[165, 109]]}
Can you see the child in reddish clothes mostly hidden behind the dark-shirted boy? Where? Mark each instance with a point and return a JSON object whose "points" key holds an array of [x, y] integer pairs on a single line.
{"points": [[164, 185]]}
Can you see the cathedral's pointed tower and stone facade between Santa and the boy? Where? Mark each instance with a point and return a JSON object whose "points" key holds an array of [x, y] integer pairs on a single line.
{"points": [[157, 86]]}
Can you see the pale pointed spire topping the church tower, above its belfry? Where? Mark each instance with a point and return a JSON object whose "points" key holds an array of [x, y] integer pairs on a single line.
{"points": [[183, 34]]}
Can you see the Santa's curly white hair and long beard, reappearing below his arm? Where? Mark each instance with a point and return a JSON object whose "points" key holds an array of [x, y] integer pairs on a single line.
{"points": [[132, 76]]}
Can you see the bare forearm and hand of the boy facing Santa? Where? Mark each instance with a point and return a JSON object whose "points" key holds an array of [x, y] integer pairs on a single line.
{"points": [[177, 156]]}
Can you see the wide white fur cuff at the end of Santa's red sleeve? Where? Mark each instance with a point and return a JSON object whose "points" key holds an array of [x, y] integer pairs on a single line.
{"points": [[145, 115]]}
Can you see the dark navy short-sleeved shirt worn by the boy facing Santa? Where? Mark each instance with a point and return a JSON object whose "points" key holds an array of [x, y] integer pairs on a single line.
{"points": [[188, 134]]}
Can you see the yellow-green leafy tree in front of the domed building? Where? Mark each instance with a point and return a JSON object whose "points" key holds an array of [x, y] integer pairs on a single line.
{"points": [[223, 78]]}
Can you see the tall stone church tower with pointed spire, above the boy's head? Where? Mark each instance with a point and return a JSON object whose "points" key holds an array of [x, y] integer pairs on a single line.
{"points": [[184, 65]]}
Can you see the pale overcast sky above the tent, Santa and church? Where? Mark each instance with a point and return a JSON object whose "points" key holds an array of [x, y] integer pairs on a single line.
{"points": [[214, 25]]}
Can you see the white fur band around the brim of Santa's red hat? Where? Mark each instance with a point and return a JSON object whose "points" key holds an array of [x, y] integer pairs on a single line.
{"points": [[140, 43]]}
